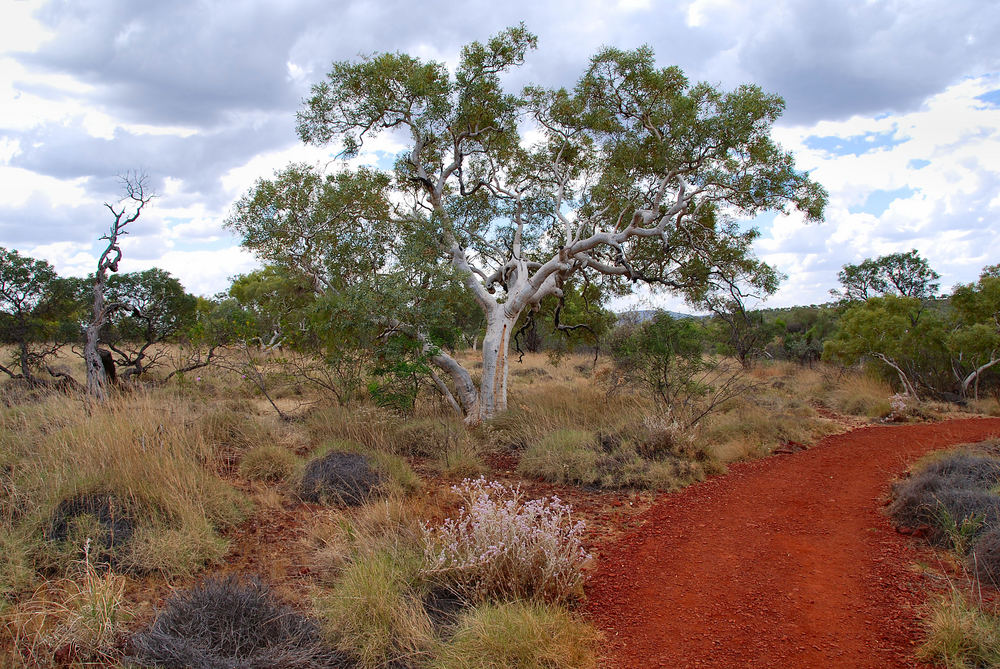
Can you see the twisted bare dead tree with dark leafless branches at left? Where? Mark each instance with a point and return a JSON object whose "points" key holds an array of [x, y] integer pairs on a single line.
{"points": [[135, 198]]}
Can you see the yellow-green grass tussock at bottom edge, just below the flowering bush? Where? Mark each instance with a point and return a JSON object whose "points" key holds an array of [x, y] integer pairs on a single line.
{"points": [[529, 635]]}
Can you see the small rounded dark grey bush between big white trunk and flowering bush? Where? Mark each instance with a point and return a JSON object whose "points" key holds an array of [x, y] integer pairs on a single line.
{"points": [[340, 478]]}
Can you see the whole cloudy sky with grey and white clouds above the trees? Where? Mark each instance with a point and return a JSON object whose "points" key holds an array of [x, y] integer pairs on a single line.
{"points": [[893, 106]]}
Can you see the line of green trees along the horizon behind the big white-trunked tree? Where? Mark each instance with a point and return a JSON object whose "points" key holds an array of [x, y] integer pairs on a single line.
{"points": [[889, 317]]}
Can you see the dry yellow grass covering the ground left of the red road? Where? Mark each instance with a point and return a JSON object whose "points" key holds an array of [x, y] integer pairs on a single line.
{"points": [[172, 453]]}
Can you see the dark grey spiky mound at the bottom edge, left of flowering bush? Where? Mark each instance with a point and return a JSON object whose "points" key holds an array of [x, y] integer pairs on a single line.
{"points": [[228, 622]]}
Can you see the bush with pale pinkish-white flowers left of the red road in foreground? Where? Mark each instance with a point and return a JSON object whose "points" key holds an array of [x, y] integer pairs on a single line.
{"points": [[502, 546]]}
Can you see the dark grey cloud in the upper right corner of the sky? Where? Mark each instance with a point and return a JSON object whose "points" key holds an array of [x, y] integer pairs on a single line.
{"points": [[831, 59]]}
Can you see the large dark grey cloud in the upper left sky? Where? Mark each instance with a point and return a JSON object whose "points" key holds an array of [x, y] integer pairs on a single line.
{"points": [[184, 62]]}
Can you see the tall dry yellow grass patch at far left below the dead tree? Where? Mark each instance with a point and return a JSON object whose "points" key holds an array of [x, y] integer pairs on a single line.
{"points": [[146, 452]]}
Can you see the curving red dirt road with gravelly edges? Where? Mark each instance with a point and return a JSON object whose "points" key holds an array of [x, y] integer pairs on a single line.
{"points": [[786, 561]]}
